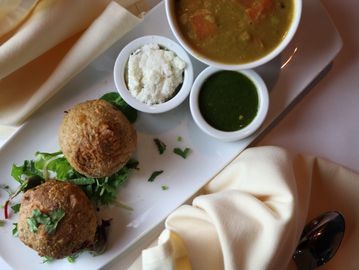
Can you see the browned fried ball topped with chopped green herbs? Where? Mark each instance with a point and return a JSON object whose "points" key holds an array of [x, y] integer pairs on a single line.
{"points": [[74, 232]]}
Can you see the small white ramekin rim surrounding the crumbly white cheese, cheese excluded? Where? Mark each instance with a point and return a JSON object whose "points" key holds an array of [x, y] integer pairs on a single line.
{"points": [[121, 65]]}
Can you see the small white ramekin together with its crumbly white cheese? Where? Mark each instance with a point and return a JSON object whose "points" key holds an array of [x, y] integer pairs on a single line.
{"points": [[153, 74]]}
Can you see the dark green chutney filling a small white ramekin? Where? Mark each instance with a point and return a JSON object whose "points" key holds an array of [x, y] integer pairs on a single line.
{"points": [[228, 100]]}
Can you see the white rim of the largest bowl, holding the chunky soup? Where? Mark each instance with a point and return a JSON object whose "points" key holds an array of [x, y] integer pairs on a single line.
{"points": [[248, 65]]}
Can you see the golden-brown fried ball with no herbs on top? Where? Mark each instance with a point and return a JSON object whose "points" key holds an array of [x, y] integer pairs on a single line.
{"points": [[96, 138]]}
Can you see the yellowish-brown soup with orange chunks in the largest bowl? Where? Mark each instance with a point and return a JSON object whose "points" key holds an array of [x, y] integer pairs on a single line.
{"points": [[233, 31]]}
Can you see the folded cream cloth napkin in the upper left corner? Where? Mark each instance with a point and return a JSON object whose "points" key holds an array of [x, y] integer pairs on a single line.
{"points": [[45, 43]]}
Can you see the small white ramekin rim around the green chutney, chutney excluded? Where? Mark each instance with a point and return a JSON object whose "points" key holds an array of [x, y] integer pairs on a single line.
{"points": [[228, 136]]}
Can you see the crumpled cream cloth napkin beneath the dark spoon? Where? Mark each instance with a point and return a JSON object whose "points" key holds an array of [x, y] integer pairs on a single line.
{"points": [[251, 215]]}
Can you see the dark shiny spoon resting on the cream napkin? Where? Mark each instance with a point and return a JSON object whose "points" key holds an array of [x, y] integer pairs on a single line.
{"points": [[319, 241]]}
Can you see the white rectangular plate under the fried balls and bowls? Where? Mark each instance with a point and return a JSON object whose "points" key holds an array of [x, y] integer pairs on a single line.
{"points": [[313, 48]]}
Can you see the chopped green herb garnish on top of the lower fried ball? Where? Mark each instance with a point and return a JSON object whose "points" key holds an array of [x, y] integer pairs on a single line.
{"points": [[50, 221]]}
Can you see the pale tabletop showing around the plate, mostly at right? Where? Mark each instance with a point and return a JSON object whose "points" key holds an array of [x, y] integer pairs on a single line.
{"points": [[324, 123]]}
